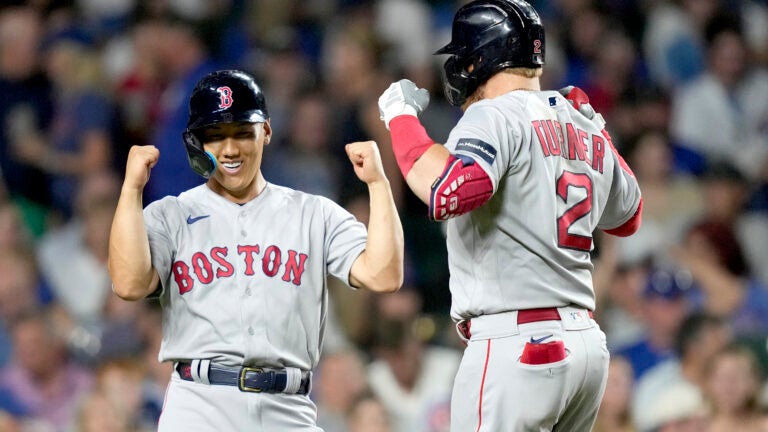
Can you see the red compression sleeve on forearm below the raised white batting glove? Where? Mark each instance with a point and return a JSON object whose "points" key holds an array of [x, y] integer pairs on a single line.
{"points": [[409, 141]]}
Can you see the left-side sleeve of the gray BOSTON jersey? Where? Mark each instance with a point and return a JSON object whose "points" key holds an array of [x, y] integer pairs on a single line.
{"points": [[161, 247]]}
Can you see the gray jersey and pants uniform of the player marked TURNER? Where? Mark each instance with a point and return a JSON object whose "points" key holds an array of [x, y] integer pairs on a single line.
{"points": [[526, 251]]}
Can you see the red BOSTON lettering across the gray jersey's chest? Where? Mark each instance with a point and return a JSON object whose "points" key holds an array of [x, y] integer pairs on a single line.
{"points": [[202, 265]]}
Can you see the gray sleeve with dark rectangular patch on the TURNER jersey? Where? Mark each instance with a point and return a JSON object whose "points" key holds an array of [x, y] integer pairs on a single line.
{"points": [[482, 134]]}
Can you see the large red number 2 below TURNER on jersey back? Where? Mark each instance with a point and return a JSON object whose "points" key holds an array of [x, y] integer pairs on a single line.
{"points": [[573, 213]]}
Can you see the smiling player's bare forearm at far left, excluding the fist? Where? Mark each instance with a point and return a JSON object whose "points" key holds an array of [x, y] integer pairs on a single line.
{"points": [[130, 263]]}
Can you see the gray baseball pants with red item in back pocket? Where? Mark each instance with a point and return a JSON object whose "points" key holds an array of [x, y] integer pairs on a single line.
{"points": [[493, 391]]}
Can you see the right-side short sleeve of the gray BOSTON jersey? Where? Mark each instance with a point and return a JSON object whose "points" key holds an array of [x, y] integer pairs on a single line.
{"points": [[345, 240]]}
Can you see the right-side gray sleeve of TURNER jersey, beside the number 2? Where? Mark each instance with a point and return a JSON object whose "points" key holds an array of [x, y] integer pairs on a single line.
{"points": [[624, 198]]}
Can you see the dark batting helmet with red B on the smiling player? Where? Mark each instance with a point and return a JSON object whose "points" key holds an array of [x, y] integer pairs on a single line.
{"points": [[225, 96]]}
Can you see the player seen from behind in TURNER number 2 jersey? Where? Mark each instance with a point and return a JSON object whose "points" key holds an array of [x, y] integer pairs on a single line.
{"points": [[524, 179]]}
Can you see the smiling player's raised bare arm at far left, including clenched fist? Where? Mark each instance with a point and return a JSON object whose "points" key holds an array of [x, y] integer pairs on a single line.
{"points": [[130, 263]]}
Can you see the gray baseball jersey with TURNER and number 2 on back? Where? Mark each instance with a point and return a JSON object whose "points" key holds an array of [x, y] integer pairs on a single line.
{"points": [[555, 179]]}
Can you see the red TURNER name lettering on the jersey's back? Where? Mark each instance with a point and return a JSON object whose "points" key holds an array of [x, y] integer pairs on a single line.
{"points": [[574, 144]]}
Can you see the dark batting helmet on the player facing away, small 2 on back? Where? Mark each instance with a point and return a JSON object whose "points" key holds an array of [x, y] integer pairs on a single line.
{"points": [[488, 36]]}
